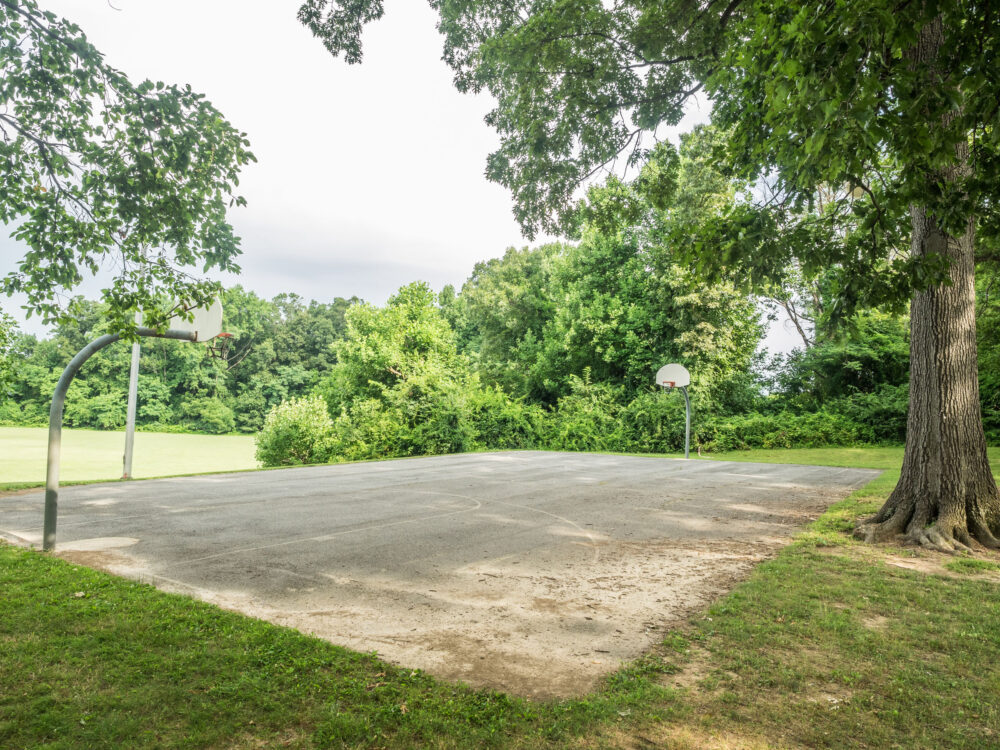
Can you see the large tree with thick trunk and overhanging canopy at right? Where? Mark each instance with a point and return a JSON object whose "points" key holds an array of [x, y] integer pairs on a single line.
{"points": [[896, 102]]}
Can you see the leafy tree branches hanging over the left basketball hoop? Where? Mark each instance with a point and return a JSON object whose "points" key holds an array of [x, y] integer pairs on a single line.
{"points": [[99, 172]]}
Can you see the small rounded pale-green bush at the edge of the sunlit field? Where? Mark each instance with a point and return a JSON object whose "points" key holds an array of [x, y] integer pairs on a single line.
{"points": [[296, 432]]}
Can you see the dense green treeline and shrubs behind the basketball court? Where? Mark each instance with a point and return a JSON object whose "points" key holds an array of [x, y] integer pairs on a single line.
{"points": [[553, 346]]}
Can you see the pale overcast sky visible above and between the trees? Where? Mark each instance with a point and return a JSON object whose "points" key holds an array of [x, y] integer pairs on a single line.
{"points": [[368, 176]]}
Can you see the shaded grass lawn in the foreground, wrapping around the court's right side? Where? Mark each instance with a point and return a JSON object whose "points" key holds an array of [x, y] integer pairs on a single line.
{"points": [[830, 644]]}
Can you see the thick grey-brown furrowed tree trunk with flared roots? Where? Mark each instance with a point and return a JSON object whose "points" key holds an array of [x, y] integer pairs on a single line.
{"points": [[946, 494]]}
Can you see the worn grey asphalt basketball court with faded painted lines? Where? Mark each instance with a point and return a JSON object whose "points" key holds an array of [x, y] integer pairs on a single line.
{"points": [[533, 572]]}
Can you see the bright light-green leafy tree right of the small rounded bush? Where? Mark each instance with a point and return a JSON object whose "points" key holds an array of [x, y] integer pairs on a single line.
{"points": [[400, 387]]}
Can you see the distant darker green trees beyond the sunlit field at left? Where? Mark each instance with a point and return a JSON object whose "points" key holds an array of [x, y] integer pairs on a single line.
{"points": [[283, 346]]}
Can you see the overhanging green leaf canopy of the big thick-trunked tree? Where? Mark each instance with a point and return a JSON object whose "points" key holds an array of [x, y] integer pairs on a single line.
{"points": [[578, 84]]}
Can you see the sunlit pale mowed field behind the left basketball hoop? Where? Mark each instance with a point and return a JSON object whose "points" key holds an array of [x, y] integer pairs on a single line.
{"points": [[92, 455]]}
